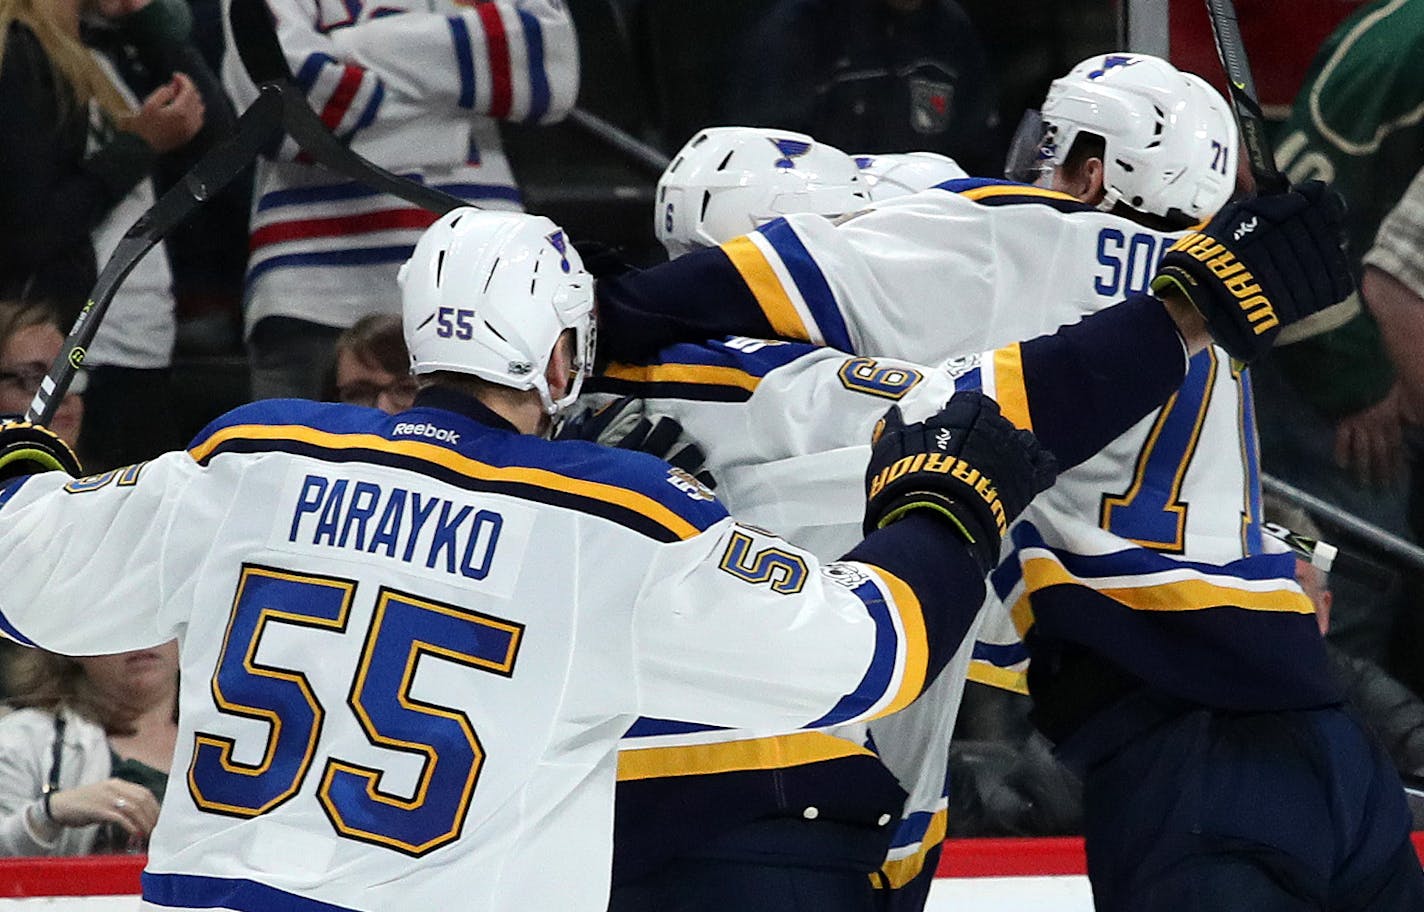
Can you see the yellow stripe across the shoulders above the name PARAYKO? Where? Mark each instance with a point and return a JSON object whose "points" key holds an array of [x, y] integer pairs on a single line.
{"points": [[462, 465]]}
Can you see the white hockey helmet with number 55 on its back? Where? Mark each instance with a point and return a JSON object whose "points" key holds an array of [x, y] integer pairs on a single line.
{"points": [[489, 294]]}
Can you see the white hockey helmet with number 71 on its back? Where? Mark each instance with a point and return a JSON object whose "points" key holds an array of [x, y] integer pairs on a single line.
{"points": [[1170, 138]]}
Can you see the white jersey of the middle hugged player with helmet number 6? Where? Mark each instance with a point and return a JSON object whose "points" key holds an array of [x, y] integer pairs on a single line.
{"points": [[787, 431]]}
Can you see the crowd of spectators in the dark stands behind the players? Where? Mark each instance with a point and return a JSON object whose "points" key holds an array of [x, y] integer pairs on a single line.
{"points": [[201, 327]]}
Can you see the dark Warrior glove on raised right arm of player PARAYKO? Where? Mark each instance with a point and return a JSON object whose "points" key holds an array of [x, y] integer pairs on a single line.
{"points": [[968, 464]]}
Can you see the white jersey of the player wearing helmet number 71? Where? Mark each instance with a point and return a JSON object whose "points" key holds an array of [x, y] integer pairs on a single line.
{"points": [[1150, 554]]}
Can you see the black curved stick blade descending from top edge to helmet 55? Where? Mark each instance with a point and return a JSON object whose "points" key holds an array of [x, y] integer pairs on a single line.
{"points": [[256, 39]]}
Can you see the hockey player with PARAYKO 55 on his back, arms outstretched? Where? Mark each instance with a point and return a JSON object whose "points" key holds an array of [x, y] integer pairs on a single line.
{"points": [[411, 642]]}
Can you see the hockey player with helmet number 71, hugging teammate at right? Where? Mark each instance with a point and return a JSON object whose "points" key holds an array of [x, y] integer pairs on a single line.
{"points": [[1174, 660]]}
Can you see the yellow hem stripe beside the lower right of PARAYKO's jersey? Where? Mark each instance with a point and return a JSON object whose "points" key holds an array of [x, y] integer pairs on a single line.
{"points": [[795, 750]]}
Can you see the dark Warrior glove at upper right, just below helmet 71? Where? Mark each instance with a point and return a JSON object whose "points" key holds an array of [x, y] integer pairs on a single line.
{"points": [[1262, 264]]}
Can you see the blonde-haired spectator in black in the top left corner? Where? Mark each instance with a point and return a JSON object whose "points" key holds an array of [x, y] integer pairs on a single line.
{"points": [[73, 146]]}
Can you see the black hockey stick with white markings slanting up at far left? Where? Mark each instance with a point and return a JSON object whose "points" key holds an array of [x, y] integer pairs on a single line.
{"points": [[257, 128]]}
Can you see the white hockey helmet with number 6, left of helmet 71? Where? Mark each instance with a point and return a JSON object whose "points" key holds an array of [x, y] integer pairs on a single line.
{"points": [[730, 180]]}
